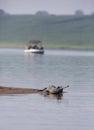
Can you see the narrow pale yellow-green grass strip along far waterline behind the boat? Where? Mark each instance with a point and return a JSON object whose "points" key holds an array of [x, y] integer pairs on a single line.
{"points": [[48, 46]]}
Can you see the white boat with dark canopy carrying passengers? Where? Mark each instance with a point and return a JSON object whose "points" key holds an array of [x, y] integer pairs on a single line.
{"points": [[34, 46]]}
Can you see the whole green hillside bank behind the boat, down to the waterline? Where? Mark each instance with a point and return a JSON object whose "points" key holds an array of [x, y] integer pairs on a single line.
{"points": [[63, 32]]}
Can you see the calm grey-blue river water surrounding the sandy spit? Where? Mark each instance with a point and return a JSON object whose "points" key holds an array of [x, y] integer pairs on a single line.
{"points": [[73, 111]]}
